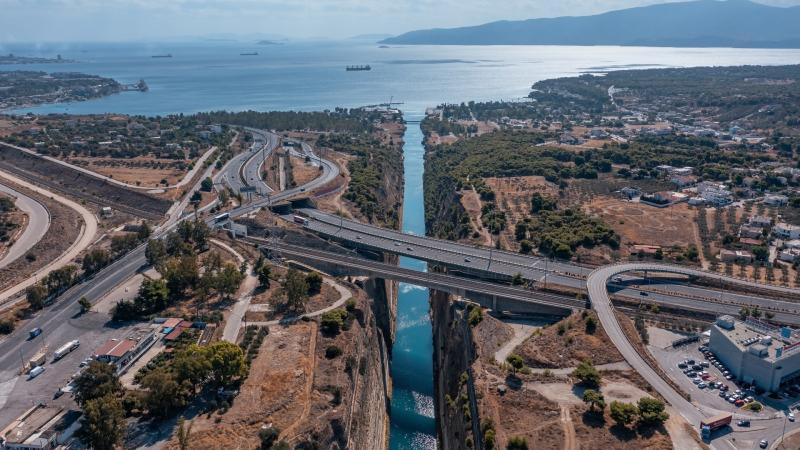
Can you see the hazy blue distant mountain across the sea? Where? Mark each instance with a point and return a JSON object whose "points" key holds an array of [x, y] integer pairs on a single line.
{"points": [[704, 23]]}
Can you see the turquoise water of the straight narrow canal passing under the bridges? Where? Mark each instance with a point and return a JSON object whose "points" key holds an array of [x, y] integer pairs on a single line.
{"points": [[413, 424]]}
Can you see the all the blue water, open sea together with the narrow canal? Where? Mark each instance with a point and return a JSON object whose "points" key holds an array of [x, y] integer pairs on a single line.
{"points": [[203, 76]]}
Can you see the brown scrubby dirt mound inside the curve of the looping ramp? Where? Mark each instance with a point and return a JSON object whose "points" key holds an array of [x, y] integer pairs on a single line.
{"points": [[567, 343]]}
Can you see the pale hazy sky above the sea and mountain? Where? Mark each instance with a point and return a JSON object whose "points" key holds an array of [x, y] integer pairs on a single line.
{"points": [[153, 20]]}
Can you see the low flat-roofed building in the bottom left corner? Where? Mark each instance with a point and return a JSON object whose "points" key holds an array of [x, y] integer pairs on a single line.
{"points": [[41, 427]]}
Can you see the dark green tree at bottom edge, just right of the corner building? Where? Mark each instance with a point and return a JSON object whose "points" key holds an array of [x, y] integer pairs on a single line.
{"points": [[103, 423]]}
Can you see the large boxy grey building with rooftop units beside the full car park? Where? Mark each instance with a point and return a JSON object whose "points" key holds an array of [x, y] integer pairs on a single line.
{"points": [[756, 352]]}
